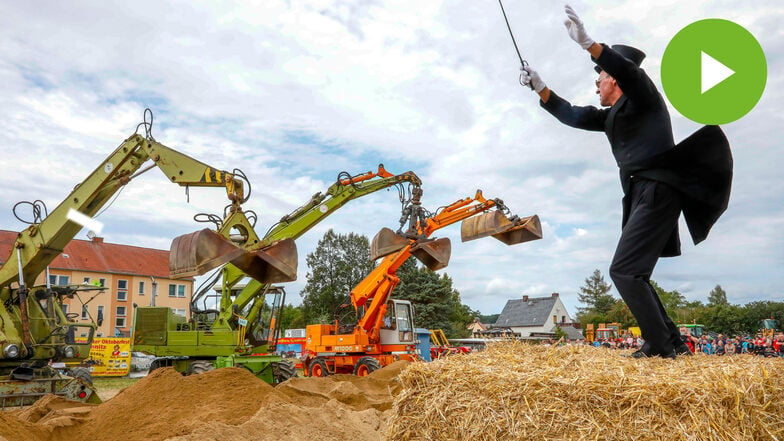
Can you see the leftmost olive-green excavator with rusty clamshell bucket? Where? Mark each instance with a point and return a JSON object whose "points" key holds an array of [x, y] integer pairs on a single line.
{"points": [[37, 339]]}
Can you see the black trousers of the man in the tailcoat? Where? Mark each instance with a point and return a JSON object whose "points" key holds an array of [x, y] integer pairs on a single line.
{"points": [[655, 209]]}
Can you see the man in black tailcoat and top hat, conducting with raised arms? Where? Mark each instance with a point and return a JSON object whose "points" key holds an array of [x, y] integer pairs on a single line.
{"points": [[659, 179]]}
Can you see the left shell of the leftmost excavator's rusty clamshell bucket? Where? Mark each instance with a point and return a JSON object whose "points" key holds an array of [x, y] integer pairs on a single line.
{"points": [[196, 253]]}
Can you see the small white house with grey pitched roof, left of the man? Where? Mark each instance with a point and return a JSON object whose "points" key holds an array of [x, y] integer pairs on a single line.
{"points": [[531, 317]]}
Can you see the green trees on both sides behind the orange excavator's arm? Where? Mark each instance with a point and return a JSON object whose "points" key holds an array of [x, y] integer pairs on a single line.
{"points": [[341, 261]]}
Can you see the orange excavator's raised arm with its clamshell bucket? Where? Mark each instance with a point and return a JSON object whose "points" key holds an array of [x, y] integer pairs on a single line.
{"points": [[374, 291]]}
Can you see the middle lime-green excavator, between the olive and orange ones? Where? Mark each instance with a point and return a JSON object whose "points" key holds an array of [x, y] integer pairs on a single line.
{"points": [[238, 326]]}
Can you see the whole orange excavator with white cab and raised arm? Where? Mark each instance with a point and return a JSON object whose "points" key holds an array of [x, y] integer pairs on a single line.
{"points": [[384, 332]]}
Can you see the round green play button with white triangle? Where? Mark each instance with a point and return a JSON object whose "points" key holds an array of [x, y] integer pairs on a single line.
{"points": [[713, 71]]}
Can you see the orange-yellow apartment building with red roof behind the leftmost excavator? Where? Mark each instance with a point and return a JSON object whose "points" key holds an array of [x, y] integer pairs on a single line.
{"points": [[130, 276]]}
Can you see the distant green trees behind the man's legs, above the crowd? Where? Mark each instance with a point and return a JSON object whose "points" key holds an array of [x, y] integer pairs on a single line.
{"points": [[716, 313]]}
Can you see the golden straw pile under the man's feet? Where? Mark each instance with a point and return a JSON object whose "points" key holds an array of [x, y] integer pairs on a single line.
{"points": [[515, 391]]}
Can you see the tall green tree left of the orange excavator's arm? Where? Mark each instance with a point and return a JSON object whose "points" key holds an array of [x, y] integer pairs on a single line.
{"points": [[339, 262]]}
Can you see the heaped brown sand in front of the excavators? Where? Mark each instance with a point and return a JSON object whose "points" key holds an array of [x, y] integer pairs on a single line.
{"points": [[222, 404]]}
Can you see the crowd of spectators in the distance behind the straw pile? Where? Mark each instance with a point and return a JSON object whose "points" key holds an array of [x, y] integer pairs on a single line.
{"points": [[711, 345]]}
